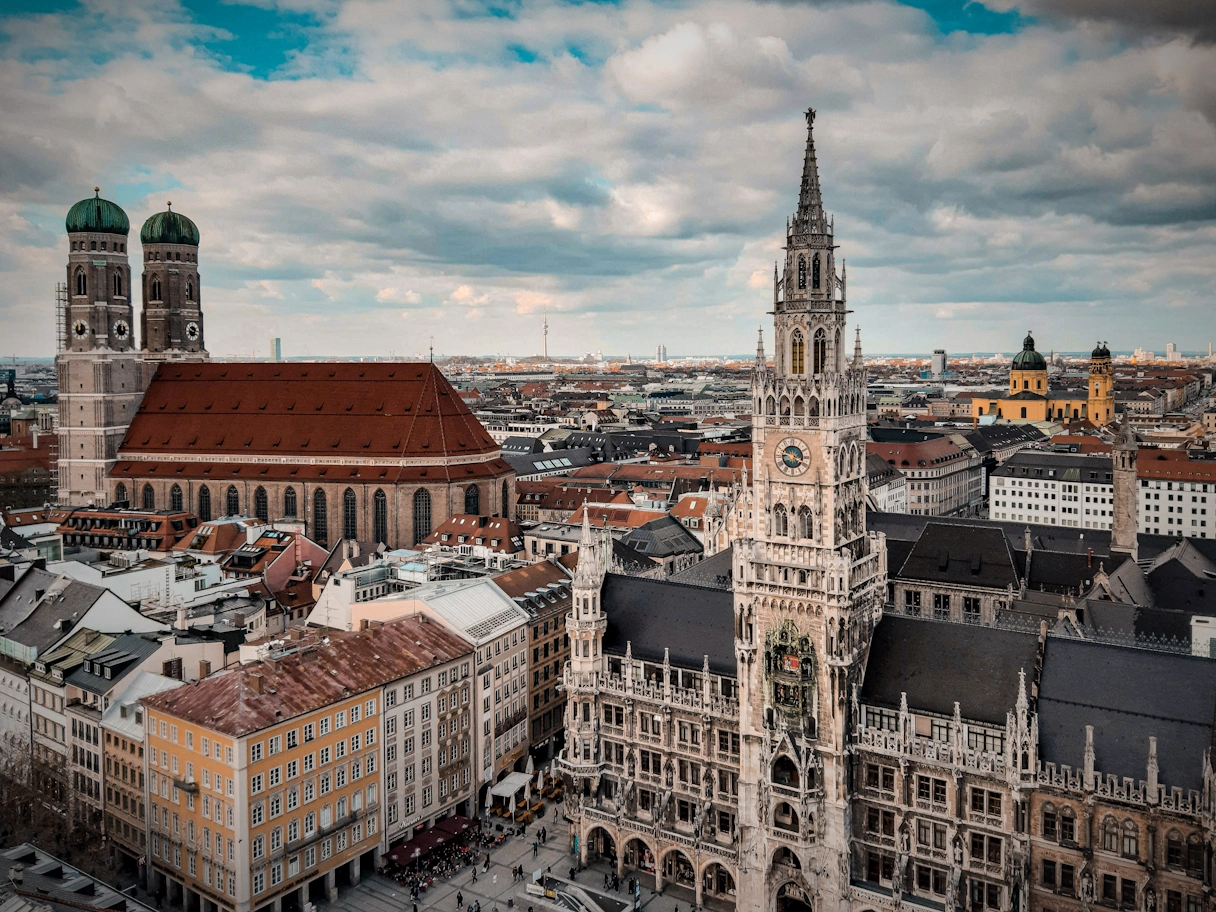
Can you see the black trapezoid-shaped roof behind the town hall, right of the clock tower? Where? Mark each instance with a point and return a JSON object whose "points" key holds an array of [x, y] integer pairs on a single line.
{"points": [[961, 555]]}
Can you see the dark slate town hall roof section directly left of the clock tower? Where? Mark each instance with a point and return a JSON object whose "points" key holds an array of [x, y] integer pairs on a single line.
{"points": [[693, 622]]}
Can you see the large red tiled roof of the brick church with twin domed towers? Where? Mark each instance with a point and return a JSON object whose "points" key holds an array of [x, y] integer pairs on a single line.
{"points": [[379, 414]]}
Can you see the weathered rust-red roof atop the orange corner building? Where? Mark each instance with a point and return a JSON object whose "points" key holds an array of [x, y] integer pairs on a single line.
{"points": [[252, 697]]}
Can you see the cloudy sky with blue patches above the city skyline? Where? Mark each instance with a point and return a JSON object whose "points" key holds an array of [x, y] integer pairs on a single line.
{"points": [[370, 176]]}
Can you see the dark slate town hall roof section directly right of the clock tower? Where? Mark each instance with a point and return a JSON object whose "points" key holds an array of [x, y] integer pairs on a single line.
{"points": [[938, 663]]}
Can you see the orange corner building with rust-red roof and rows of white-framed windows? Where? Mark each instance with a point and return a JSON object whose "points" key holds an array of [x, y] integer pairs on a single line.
{"points": [[266, 780]]}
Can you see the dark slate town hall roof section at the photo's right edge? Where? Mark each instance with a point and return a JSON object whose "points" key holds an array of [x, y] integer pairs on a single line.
{"points": [[1128, 696]]}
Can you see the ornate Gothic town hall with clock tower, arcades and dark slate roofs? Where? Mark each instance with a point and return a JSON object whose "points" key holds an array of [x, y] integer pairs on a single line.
{"points": [[786, 745]]}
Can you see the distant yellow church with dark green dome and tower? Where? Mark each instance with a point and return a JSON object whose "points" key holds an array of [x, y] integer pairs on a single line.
{"points": [[1032, 398]]}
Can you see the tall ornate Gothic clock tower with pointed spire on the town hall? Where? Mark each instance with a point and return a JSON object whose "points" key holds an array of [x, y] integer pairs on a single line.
{"points": [[810, 581]]}
